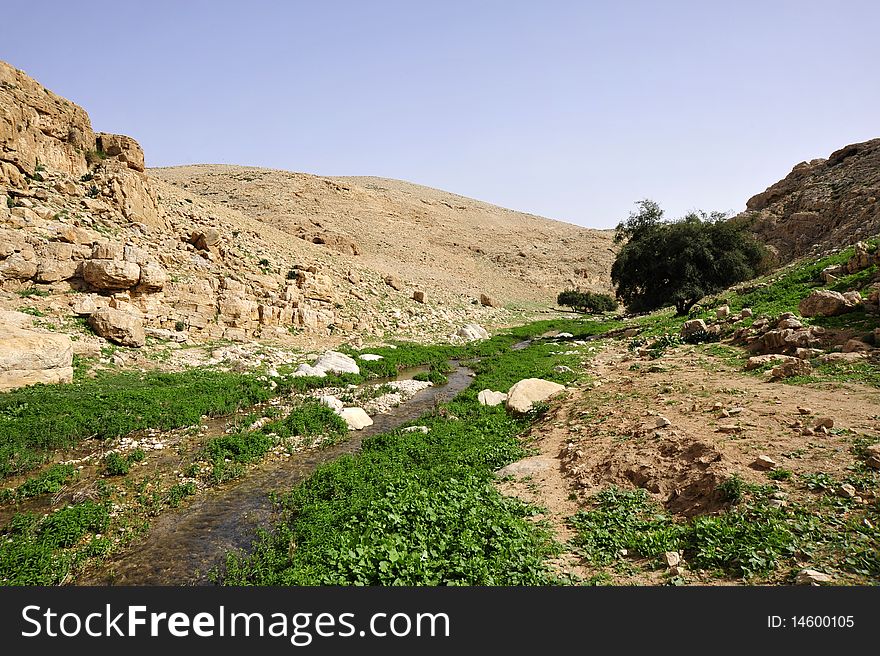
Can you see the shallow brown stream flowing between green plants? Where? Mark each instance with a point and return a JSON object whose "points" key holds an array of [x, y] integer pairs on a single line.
{"points": [[181, 547]]}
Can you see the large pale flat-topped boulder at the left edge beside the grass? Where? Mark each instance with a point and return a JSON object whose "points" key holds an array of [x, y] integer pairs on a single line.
{"points": [[28, 357]]}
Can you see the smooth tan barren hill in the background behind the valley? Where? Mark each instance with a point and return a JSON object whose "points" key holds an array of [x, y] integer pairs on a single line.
{"points": [[433, 238]]}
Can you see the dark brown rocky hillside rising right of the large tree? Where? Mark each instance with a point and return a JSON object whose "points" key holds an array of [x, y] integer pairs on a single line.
{"points": [[827, 203]]}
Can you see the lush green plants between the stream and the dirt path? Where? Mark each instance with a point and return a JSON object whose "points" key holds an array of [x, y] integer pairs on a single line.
{"points": [[421, 509]]}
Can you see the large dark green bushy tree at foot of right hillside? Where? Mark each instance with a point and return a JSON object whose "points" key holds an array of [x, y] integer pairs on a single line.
{"points": [[677, 263]]}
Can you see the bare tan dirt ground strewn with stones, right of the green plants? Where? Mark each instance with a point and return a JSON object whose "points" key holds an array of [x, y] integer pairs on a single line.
{"points": [[679, 426]]}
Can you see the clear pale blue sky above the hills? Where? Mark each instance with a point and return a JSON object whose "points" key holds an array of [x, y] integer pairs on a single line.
{"points": [[571, 110]]}
